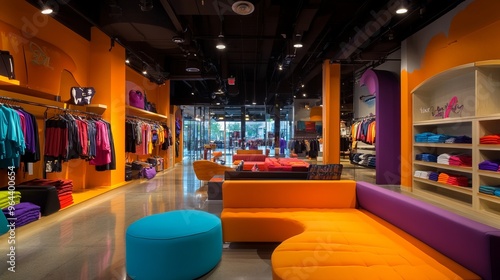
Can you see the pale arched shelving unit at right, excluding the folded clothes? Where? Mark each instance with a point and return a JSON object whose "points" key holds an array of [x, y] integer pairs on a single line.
{"points": [[473, 90]]}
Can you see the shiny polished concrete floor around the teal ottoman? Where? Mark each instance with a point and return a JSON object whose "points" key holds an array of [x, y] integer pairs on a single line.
{"points": [[87, 241]]}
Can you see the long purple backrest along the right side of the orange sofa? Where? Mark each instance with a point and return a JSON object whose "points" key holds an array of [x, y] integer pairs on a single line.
{"points": [[473, 245]]}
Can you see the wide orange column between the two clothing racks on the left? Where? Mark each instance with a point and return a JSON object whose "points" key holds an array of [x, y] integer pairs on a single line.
{"points": [[107, 76]]}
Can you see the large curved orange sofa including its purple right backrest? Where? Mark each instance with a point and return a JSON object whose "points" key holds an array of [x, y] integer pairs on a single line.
{"points": [[348, 230]]}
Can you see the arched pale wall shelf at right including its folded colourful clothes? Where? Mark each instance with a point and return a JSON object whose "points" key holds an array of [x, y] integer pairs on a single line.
{"points": [[456, 127]]}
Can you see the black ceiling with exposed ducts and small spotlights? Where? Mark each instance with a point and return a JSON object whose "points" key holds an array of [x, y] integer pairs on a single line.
{"points": [[356, 33]]}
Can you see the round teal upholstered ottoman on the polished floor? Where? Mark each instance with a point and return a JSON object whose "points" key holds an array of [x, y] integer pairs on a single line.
{"points": [[180, 244]]}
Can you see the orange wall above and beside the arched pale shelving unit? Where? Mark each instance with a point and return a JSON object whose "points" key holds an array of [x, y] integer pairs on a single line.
{"points": [[474, 35]]}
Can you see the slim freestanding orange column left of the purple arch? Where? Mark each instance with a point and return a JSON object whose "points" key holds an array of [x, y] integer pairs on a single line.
{"points": [[331, 112]]}
